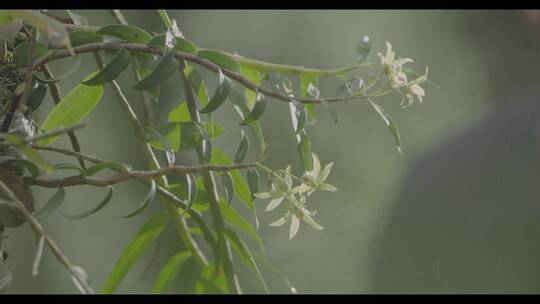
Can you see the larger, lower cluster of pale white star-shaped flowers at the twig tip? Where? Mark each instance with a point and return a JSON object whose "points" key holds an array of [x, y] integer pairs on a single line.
{"points": [[295, 197]]}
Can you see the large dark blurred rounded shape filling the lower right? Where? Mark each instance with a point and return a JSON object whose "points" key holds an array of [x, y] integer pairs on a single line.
{"points": [[467, 219]]}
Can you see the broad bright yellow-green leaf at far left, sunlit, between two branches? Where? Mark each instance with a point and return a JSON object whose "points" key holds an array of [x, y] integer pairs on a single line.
{"points": [[72, 109]]}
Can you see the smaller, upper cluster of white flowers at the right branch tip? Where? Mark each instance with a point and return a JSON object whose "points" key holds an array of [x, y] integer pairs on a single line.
{"points": [[393, 70]]}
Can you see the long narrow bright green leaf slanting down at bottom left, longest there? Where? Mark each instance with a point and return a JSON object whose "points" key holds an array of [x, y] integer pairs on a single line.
{"points": [[135, 249]]}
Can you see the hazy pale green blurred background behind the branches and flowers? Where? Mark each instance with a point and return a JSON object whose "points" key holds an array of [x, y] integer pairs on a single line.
{"points": [[477, 57]]}
